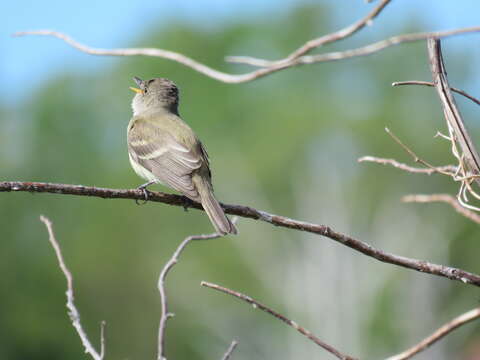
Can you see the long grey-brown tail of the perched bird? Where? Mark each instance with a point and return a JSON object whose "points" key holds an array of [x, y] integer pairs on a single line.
{"points": [[217, 216]]}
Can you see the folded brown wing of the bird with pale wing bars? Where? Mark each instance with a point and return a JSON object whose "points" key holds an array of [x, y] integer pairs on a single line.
{"points": [[166, 158]]}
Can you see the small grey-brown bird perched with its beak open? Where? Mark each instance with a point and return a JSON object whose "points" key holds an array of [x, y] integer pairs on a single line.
{"points": [[162, 148]]}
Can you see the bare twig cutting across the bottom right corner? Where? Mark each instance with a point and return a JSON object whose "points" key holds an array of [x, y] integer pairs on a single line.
{"points": [[437, 335]]}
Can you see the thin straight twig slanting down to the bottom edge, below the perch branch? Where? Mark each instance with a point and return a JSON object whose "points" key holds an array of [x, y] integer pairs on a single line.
{"points": [[279, 316]]}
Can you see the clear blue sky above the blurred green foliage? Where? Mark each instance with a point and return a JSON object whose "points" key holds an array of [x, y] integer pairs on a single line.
{"points": [[112, 23]]}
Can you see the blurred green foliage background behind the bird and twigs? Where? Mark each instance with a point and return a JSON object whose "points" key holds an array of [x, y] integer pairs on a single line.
{"points": [[287, 144]]}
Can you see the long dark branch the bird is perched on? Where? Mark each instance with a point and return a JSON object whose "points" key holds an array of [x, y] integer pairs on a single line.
{"points": [[249, 212]]}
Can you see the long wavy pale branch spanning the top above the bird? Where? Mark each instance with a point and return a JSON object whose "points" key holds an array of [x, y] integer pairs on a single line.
{"points": [[256, 74]]}
